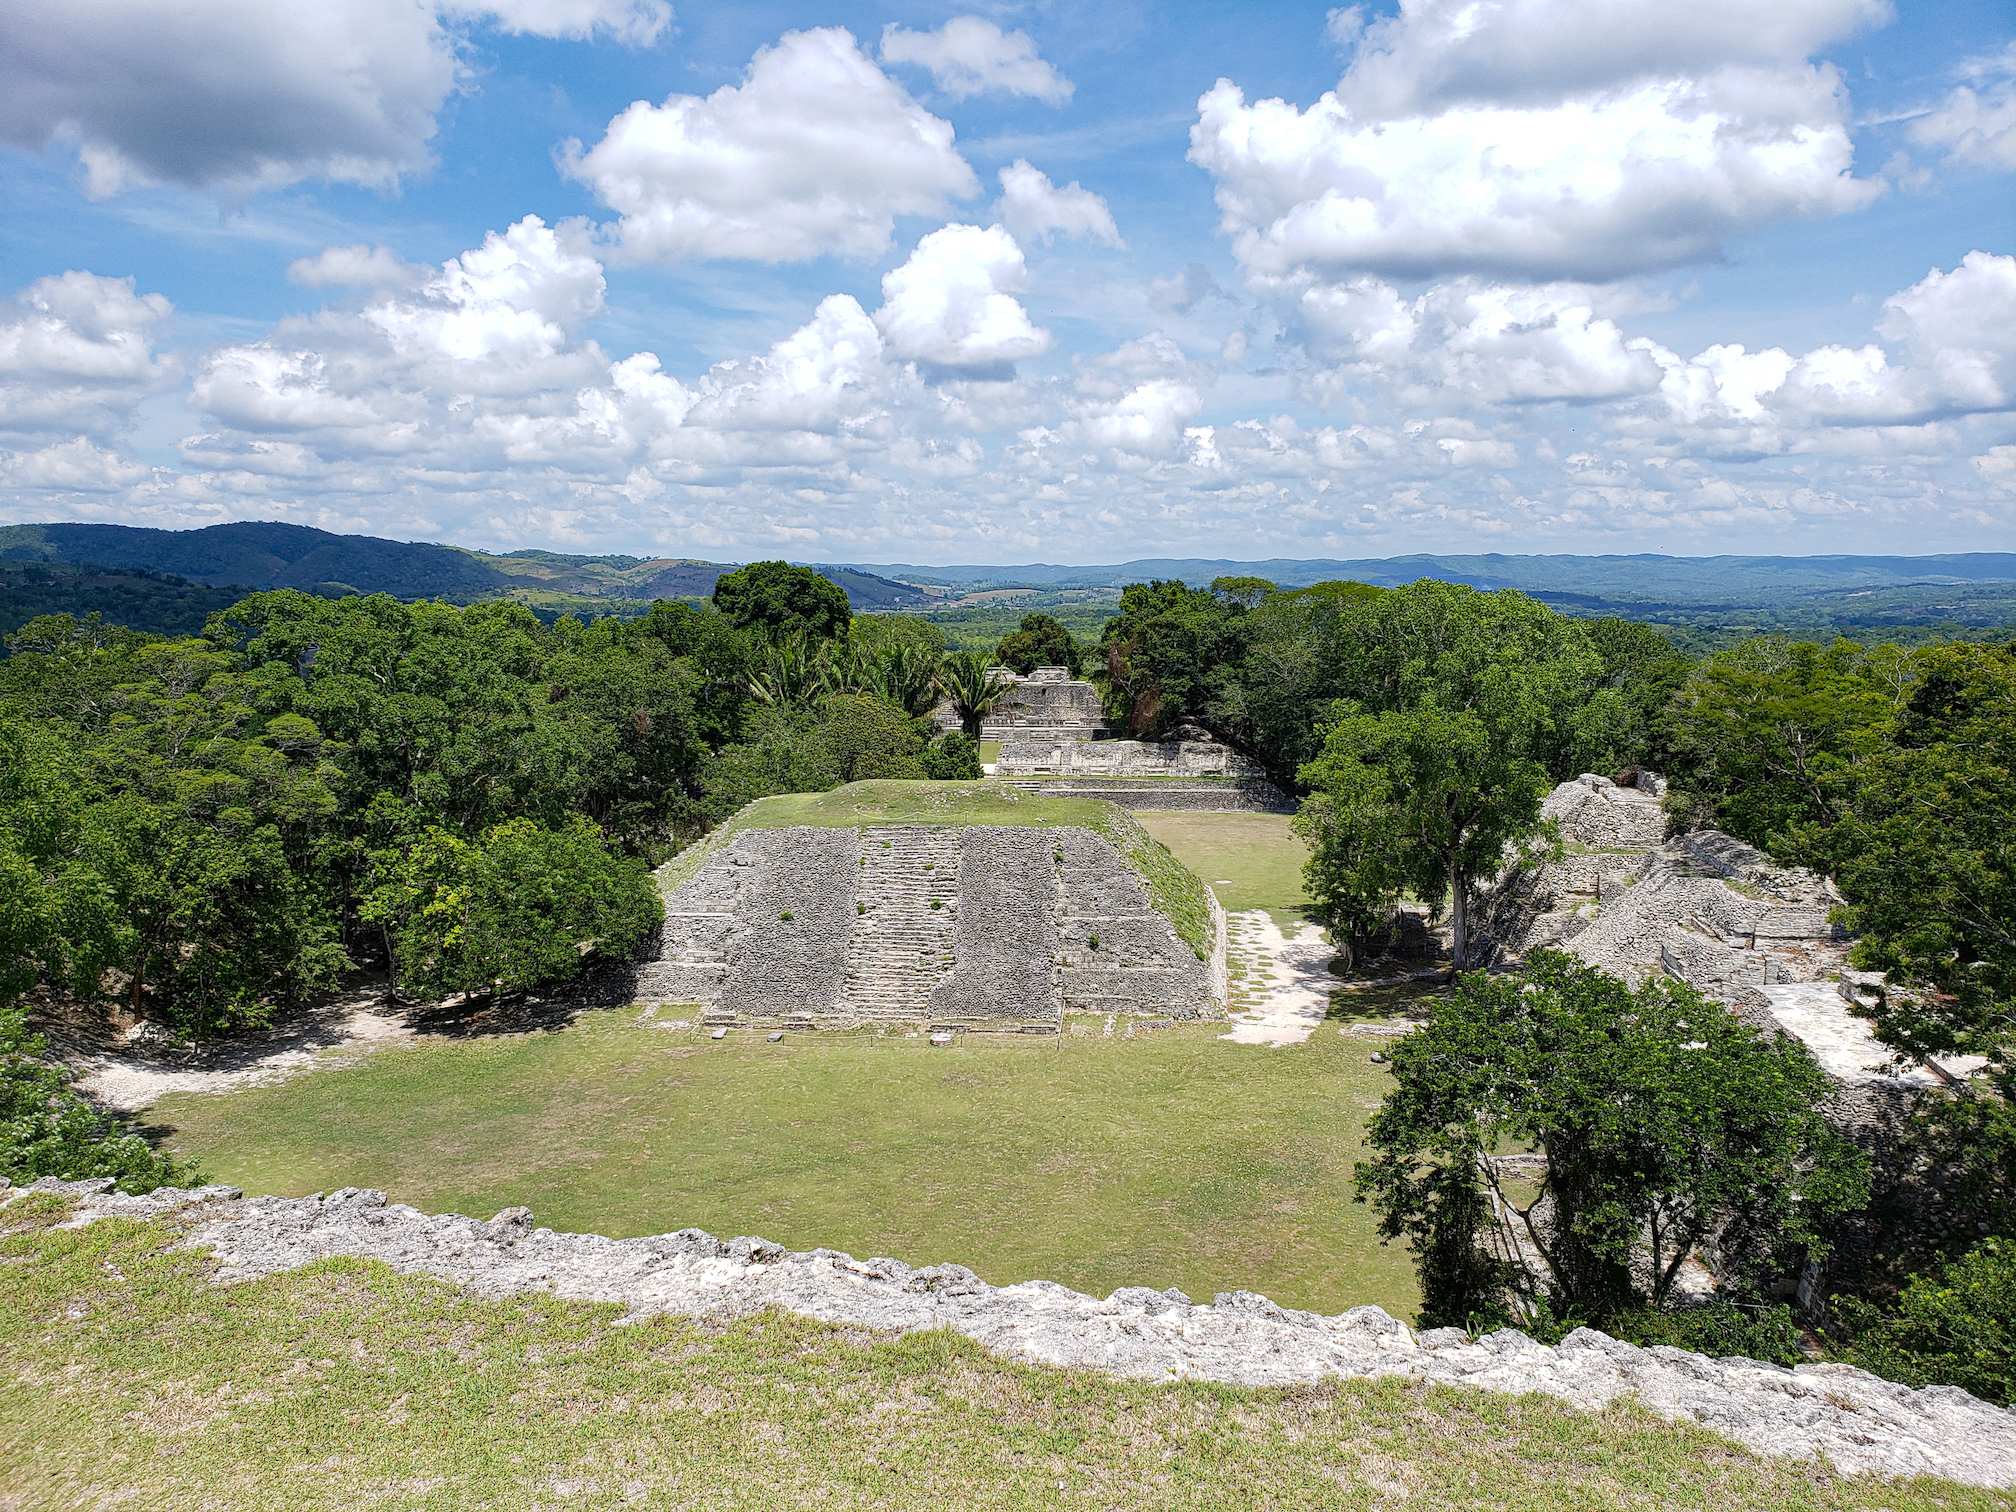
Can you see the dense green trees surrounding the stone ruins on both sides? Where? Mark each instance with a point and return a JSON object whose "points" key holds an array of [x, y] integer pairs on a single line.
{"points": [[203, 832]]}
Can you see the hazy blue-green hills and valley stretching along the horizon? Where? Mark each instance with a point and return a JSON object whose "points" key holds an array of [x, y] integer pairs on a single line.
{"points": [[1703, 602]]}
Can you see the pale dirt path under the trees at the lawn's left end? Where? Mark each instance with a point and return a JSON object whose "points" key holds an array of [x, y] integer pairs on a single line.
{"points": [[332, 1037]]}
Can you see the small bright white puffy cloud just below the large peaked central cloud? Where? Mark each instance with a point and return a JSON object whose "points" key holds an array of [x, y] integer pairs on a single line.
{"points": [[953, 303]]}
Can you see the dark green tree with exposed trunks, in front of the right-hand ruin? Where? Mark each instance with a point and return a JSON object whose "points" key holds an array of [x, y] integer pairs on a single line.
{"points": [[1664, 1122]]}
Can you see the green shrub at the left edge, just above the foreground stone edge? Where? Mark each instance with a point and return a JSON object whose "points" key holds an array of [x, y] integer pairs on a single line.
{"points": [[49, 1130]]}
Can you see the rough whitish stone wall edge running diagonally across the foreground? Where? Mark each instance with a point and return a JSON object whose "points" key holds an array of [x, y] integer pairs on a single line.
{"points": [[1860, 1422]]}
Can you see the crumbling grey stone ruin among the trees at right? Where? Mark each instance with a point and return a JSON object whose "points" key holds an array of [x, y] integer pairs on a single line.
{"points": [[1715, 912]]}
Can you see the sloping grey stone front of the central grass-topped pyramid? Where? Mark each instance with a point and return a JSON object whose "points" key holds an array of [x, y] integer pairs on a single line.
{"points": [[981, 928]]}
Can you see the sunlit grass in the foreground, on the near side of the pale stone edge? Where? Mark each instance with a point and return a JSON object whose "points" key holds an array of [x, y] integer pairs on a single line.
{"points": [[128, 1380]]}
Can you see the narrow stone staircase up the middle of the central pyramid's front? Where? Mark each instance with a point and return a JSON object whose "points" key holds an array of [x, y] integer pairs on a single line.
{"points": [[902, 947]]}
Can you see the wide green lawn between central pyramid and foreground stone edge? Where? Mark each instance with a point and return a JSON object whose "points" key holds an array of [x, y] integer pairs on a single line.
{"points": [[1162, 1160]]}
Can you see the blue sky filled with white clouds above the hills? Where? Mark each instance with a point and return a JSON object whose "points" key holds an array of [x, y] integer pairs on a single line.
{"points": [[604, 275]]}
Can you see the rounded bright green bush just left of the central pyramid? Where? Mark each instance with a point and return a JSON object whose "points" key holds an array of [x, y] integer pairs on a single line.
{"points": [[521, 908]]}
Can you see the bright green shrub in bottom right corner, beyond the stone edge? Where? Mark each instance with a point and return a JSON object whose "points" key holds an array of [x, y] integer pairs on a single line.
{"points": [[1952, 1328]]}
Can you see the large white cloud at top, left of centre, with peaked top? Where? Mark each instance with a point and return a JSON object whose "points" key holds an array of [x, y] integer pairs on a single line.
{"points": [[815, 152]]}
